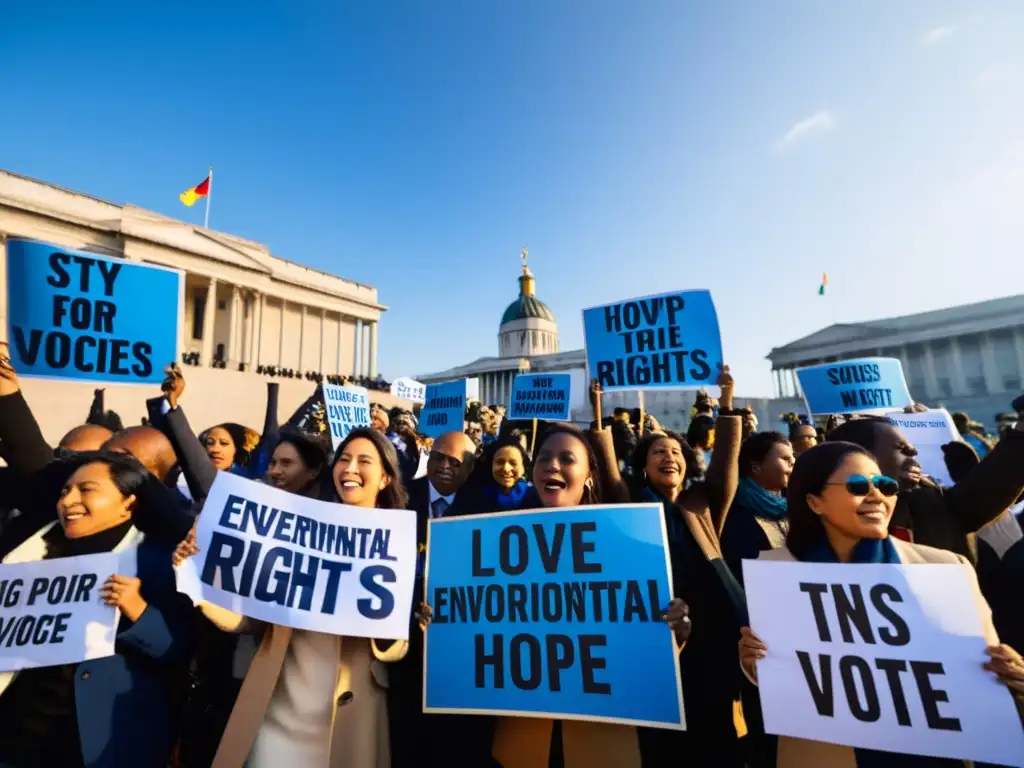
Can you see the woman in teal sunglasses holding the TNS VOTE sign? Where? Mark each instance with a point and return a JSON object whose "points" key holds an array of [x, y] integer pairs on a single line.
{"points": [[840, 506]]}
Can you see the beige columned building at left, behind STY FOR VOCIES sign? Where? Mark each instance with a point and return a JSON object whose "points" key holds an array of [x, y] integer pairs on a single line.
{"points": [[243, 311]]}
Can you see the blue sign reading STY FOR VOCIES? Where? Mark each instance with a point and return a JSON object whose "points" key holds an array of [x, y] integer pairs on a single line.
{"points": [[89, 318]]}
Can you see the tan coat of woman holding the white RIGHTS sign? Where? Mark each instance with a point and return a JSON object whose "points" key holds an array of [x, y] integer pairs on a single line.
{"points": [[359, 732]]}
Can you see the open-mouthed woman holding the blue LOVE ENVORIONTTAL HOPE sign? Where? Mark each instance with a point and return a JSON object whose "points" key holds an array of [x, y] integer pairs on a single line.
{"points": [[566, 475]]}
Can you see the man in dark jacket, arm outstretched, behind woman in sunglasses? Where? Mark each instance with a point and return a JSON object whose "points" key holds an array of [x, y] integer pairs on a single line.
{"points": [[947, 519]]}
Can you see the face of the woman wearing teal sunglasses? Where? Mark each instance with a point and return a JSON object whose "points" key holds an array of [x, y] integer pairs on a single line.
{"points": [[854, 518]]}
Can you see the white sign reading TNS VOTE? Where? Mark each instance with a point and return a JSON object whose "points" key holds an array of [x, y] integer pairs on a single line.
{"points": [[880, 657]]}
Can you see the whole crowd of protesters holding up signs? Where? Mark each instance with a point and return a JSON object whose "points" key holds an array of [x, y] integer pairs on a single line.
{"points": [[195, 686]]}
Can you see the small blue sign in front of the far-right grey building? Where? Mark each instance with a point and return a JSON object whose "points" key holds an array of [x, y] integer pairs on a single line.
{"points": [[851, 387]]}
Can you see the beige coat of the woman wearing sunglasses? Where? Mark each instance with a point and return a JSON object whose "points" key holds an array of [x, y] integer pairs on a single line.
{"points": [[802, 753]]}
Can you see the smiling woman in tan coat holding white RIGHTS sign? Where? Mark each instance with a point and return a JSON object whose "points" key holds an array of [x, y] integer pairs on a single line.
{"points": [[313, 700]]}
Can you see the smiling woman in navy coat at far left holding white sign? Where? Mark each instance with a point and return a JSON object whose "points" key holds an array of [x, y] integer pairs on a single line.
{"points": [[121, 710]]}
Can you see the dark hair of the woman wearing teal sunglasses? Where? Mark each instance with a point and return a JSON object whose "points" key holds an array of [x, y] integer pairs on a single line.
{"points": [[810, 475]]}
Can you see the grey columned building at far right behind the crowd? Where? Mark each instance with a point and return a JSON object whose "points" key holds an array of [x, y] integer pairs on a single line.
{"points": [[968, 358]]}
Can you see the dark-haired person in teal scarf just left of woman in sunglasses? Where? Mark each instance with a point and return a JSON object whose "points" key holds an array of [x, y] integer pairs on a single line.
{"points": [[757, 520]]}
